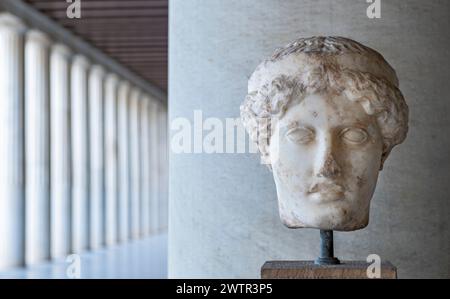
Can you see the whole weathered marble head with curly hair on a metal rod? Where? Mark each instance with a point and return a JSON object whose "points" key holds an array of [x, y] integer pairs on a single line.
{"points": [[325, 112]]}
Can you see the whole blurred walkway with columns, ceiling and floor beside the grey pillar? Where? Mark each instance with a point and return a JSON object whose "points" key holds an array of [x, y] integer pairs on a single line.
{"points": [[83, 176]]}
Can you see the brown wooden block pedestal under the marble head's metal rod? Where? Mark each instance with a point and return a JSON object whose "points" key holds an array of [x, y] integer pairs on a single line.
{"points": [[309, 270]]}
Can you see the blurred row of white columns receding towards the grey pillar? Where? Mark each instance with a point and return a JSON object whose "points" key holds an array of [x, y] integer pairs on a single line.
{"points": [[83, 152]]}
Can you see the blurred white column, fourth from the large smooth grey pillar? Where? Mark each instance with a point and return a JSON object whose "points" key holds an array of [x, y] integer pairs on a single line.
{"points": [[135, 163]]}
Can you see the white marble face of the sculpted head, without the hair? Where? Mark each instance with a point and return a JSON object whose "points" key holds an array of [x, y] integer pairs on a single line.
{"points": [[327, 161]]}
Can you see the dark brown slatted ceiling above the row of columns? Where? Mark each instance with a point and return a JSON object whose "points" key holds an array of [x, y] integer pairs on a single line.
{"points": [[134, 32]]}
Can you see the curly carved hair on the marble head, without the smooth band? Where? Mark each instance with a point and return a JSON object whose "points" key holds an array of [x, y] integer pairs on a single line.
{"points": [[377, 95]]}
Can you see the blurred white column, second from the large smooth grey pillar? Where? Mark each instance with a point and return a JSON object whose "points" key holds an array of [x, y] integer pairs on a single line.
{"points": [[154, 150]]}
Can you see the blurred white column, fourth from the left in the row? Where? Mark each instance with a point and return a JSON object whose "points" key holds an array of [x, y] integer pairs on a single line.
{"points": [[80, 154]]}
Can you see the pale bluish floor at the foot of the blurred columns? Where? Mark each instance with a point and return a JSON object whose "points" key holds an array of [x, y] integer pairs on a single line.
{"points": [[146, 258]]}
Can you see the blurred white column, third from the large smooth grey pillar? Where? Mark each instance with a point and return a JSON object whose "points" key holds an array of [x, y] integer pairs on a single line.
{"points": [[145, 166]]}
